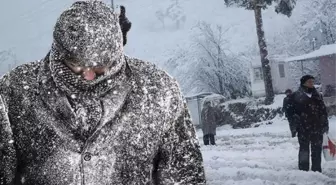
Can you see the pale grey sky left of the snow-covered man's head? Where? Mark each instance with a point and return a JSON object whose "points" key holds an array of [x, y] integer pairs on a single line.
{"points": [[26, 26]]}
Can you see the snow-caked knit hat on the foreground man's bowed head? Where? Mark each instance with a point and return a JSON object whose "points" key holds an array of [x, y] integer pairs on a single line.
{"points": [[88, 33]]}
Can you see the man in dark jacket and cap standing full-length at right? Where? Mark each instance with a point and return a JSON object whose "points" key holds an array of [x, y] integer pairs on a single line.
{"points": [[311, 119]]}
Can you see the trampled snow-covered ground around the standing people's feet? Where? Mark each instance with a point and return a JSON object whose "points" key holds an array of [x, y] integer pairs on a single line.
{"points": [[266, 155]]}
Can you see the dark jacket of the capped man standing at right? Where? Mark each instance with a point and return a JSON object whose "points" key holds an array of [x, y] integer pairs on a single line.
{"points": [[309, 113]]}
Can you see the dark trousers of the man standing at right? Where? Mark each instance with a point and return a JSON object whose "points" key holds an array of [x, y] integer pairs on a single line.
{"points": [[310, 142]]}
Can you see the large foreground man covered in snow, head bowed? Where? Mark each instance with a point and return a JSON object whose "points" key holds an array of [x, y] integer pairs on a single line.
{"points": [[88, 114]]}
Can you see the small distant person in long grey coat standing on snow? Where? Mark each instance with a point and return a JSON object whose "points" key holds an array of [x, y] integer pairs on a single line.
{"points": [[209, 123]]}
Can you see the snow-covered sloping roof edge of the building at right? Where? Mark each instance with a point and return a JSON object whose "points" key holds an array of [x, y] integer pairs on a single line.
{"points": [[324, 50]]}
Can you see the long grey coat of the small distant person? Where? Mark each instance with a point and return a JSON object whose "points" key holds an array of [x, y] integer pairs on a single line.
{"points": [[209, 120]]}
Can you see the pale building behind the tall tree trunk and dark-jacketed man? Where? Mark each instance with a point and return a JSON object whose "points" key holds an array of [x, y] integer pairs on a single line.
{"points": [[286, 72]]}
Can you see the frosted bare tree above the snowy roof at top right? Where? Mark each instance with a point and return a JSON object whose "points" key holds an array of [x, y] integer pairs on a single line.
{"points": [[312, 25]]}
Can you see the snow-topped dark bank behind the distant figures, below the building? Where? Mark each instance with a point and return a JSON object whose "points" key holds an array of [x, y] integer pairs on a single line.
{"points": [[250, 112]]}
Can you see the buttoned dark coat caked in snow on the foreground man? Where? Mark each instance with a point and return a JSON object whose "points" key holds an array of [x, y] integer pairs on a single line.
{"points": [[149, 140]]}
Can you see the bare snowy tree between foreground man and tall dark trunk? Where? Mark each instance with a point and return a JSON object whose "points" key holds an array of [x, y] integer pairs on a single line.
{"points": [[218, 70]]}
